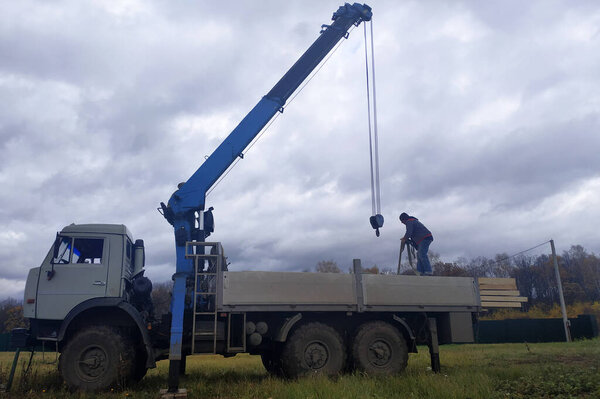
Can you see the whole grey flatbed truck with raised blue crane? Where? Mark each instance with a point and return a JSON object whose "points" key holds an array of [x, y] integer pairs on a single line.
{"points": [[90, 298]]}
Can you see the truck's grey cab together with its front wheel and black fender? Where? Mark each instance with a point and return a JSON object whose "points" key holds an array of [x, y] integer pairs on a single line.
{"points": [[90, 298]]}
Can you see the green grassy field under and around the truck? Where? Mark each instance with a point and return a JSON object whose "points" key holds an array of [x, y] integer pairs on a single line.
{"points": [[549, 370]]}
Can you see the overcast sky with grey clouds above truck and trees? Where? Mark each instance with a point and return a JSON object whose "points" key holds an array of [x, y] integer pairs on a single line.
{"points": [[488, 121]]}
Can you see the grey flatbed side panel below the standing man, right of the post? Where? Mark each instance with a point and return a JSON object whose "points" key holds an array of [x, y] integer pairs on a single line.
{"points": [[419, 291]]}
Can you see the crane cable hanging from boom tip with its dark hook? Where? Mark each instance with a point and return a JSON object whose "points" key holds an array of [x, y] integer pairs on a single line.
{"points": [[376, 219]]}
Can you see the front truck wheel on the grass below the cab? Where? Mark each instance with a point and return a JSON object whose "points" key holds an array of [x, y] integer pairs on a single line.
{"points": [[97, 358]]}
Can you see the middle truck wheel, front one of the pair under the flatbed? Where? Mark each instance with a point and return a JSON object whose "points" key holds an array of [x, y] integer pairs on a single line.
{"points": [[314, 348]]}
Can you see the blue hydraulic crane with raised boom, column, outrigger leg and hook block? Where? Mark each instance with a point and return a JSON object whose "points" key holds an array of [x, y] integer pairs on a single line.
{"points": [[189, 200]]}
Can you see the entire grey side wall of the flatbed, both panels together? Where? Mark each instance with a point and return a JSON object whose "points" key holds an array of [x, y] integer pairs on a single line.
{"points": [[278, 291]]}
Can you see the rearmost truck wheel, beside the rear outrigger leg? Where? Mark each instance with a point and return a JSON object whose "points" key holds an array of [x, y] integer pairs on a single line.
{"points": [[379, 349]]}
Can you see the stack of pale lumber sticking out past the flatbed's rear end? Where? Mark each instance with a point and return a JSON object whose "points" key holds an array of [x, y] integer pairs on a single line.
{"points": [[499, 293]]}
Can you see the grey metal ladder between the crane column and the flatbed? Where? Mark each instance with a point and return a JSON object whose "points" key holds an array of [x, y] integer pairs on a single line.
{"points": [[208, 269]]}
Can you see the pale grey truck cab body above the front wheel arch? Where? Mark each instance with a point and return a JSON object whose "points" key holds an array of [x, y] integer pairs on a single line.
{"points": [[86, 261]]}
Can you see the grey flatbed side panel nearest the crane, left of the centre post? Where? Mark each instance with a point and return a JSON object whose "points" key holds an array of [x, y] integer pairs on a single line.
{"points": [[288, 288]]}
